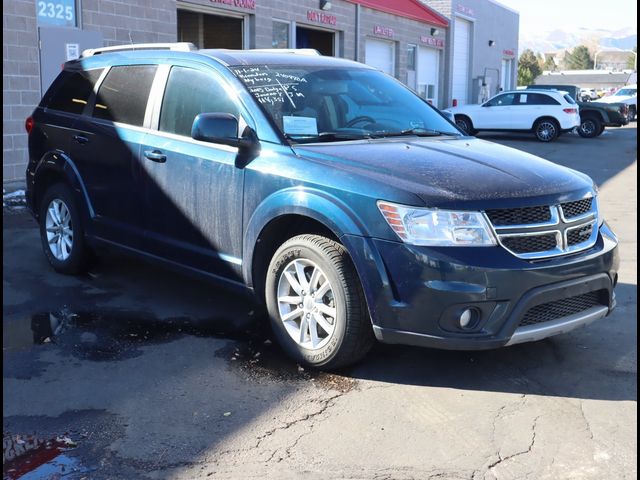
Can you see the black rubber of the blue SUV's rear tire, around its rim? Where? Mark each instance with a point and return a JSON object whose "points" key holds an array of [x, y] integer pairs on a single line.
{"points": [[79, 253]]}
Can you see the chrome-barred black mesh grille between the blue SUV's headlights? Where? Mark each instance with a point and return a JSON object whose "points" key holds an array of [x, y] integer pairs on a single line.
{"points": [[546, 231]]}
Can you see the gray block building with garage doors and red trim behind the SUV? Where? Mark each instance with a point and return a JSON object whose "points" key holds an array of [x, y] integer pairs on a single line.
{"points": [[413, 41]]}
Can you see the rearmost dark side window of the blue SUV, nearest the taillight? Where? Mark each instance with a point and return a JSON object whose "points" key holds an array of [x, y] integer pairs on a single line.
{"points": [[71, 90]]}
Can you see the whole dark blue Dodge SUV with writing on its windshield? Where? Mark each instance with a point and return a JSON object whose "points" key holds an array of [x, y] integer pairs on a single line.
{"points": [[345, 203]]}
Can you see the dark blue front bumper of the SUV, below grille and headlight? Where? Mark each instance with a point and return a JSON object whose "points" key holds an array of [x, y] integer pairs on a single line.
{"points": [[416, 294]]}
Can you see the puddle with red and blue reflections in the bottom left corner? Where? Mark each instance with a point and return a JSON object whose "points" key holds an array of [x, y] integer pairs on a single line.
{"points": [[27, 457]]}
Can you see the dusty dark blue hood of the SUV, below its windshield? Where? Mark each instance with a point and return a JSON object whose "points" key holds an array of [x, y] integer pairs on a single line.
{"points": [[449, 173]]}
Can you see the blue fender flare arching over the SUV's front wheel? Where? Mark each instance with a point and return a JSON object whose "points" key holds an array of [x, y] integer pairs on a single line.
{"points": [[317, 205]]}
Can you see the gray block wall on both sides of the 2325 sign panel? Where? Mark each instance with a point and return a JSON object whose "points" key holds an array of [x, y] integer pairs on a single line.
{"points": [[120, 22]]}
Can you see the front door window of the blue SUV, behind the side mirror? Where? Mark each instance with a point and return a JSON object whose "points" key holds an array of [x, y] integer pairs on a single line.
{"points": [[190, 92]]}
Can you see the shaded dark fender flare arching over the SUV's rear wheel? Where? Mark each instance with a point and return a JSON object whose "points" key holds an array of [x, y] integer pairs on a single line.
{"points": [[60, 164]]}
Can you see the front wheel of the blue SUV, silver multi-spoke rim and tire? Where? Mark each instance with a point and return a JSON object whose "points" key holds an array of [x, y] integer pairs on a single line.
{"points": [[316, 304]]}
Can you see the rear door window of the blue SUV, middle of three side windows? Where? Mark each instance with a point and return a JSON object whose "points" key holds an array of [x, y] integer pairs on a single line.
{"points": [[123, 94]]}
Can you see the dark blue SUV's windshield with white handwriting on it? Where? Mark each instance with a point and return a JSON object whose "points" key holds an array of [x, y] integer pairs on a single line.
{"points": [[311, 104]]}
